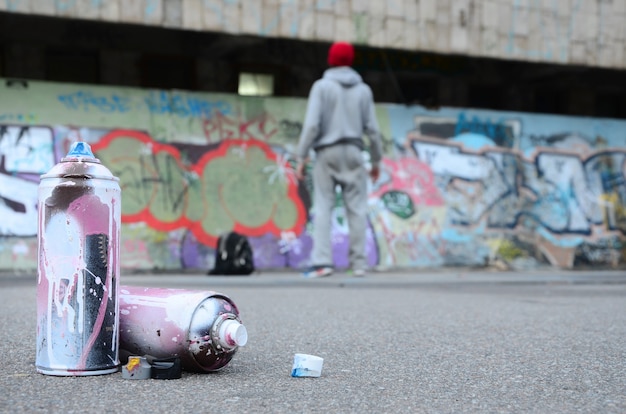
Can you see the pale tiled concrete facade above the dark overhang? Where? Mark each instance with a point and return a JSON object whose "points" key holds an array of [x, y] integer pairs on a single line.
{"points": [[585, 32]]}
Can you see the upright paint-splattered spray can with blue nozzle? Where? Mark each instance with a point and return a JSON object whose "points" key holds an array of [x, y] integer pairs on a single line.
{"points": [[78, 269]]}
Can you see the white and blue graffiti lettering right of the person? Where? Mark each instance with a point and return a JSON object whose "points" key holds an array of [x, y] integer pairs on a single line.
{"points": [[557, 190]]}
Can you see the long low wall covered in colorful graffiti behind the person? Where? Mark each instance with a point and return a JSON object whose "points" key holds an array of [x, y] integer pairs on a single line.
{"points": [[459, 187]]}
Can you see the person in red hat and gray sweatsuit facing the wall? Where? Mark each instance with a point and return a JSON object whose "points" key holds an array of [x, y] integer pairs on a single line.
{"points": [[340, 111]]}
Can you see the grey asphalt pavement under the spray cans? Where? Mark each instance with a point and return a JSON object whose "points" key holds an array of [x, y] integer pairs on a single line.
{"points": [[449, 341]]}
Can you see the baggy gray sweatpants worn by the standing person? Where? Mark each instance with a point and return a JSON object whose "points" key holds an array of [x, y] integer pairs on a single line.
{"points": [[342, 165]]}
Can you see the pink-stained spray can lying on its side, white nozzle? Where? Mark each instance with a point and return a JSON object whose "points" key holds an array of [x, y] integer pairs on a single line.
{"points": [[202, 328]]}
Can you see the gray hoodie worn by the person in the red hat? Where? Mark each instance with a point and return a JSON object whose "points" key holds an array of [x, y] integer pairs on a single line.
{"points": [[340, 107]]}
